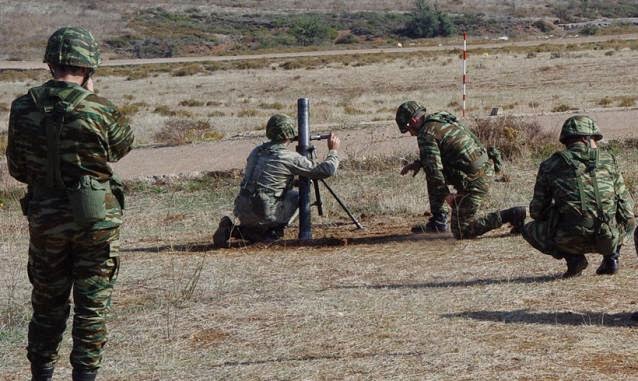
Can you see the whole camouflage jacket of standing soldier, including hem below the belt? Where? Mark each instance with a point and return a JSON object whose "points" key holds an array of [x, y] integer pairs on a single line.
{"points": [[91, 133]]}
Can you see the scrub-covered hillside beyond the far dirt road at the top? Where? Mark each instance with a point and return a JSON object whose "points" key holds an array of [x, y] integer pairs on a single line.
{"points": [[171, 28]]}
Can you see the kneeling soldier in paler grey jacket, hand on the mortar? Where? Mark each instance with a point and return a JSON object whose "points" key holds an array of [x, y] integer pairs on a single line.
{"points": [[266, 202]]}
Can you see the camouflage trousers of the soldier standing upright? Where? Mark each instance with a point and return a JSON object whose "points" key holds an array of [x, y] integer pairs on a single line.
{"points": [[65, 258]]}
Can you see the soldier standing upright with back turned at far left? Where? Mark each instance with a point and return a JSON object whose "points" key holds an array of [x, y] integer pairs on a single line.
{"points": [[61, 137]]}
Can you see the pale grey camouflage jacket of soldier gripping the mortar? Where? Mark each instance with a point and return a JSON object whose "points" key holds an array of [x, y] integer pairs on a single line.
{"points": [[271, 168]]}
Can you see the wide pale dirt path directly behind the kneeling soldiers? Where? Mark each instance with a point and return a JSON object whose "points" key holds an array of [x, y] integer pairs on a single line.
{"points": [[380, 139]]}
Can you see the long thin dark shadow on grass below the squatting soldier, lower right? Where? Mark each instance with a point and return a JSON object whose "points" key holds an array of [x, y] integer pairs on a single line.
{"points": [[574, 318]]}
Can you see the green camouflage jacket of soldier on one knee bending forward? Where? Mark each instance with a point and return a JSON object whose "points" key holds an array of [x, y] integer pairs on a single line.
{"points": [[450, 154]]}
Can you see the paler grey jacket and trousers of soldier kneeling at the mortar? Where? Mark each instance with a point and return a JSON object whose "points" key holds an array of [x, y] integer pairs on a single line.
{"points": [[266, 199]]}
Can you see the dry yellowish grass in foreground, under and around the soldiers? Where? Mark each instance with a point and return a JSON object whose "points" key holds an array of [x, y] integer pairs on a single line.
{"points": [[378, 304]]}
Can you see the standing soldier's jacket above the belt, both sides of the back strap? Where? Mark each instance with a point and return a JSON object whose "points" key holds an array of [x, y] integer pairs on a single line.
{"points": [[93, 134]]}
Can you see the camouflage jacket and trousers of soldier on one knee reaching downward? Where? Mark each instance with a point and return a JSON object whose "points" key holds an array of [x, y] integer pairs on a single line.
{"points": [[451, 154]]}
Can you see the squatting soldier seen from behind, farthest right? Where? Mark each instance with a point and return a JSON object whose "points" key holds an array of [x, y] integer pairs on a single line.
{"points": [[580, 202]]}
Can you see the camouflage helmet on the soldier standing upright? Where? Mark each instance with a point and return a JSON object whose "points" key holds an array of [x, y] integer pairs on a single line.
{"points": [[72, 46]]}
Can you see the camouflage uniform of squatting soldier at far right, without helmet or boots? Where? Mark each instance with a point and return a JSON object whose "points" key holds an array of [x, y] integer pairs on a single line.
{"points": [[565, 218]]}
